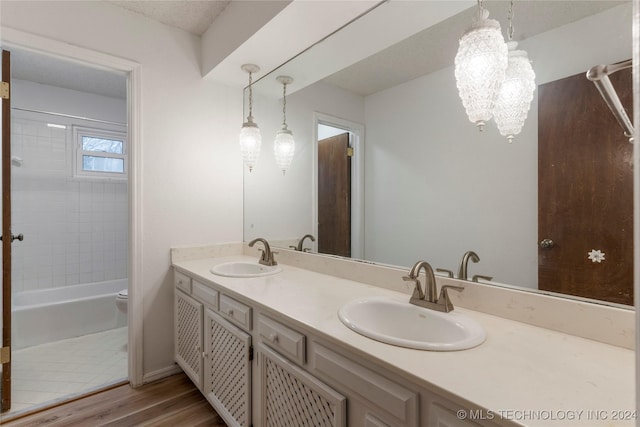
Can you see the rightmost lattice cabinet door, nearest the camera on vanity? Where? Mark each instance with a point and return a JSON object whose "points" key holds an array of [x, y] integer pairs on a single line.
{"points": [[290, 397]]}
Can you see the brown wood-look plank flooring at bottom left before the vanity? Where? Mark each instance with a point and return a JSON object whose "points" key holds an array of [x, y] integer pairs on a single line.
{"points": [[172, 401]]}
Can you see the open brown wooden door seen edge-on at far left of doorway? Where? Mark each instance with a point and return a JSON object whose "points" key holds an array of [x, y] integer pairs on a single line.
{"points": [[5, 353]]}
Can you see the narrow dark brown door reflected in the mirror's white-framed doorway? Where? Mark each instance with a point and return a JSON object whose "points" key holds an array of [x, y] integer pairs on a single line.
{"points": [[334, 195]]}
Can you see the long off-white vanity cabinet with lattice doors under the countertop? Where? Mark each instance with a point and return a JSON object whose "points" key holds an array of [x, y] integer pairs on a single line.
{"points": [[297, 378]]}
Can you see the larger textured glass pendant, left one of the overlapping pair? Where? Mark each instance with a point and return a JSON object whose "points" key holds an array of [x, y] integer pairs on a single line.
{"points": [[480, 64]]}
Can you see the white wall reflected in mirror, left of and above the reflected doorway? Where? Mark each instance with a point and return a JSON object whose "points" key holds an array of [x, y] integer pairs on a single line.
{"points": [[278, 207]]}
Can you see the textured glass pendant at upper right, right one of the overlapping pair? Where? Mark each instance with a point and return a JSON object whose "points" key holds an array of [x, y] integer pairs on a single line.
{"points": [[516, 92]]}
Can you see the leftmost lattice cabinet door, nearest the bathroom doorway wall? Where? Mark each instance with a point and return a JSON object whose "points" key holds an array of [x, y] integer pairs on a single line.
{"points": [[188, 336]]}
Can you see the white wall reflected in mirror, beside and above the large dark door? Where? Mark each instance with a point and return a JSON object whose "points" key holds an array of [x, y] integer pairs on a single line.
{"points": [[436, 187]]}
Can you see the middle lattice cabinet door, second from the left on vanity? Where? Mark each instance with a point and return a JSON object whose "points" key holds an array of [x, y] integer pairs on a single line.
{"points": [[227, 378]]}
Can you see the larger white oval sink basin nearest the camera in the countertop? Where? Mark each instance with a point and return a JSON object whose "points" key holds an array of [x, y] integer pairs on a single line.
{"points": [[407, 325]]}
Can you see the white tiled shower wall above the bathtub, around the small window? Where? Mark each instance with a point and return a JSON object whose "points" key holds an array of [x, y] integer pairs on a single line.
{"points": [[75, 231]]}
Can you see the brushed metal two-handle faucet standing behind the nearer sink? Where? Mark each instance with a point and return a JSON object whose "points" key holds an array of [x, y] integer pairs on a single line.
{"points": [[428, 298]]}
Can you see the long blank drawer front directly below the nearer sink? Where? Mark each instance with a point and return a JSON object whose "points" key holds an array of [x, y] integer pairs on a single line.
{"points": [[388, 399]]}
